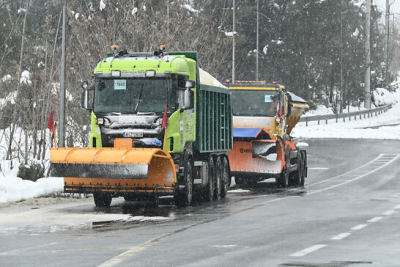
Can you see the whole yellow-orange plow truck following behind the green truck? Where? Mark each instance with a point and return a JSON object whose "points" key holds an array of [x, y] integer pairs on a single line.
{"points": [[264, 115]]}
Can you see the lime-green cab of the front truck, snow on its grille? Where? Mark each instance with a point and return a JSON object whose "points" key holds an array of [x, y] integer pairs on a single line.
{"points": [[131, 101]]}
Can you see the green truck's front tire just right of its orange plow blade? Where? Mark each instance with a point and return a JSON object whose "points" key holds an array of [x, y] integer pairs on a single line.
{"points": [[183, 199]]}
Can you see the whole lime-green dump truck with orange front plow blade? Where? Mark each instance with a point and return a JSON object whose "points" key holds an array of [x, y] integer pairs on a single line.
{"points": [[160, 127]]}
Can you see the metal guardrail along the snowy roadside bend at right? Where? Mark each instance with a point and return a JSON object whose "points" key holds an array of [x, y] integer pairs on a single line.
{"points": [[360, 114]]}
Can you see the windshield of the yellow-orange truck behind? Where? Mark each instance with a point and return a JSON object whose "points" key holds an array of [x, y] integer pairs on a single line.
{"points": [[258, 103]]}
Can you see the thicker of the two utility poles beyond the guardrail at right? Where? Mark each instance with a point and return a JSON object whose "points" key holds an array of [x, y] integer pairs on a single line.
{"points": [[367, 103]]}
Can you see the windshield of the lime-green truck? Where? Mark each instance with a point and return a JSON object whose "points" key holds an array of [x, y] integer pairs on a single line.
{"points": [[133, 95]]}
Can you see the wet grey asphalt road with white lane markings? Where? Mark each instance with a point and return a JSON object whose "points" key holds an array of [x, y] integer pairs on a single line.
{"points": [[348, 214]]}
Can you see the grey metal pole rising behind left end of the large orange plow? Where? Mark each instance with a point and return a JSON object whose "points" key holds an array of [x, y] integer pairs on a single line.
{"points": [[62, 82]]}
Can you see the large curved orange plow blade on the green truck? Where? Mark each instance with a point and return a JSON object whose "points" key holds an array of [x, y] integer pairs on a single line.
{"points": [[119, 170]]}
